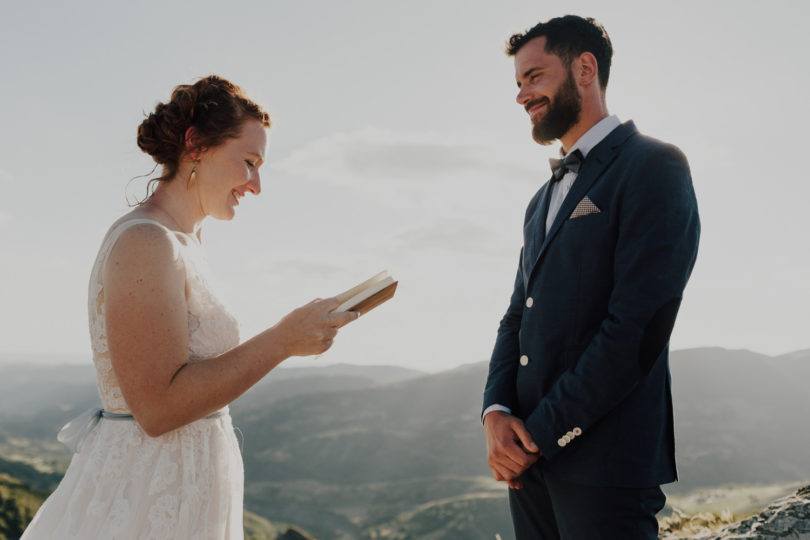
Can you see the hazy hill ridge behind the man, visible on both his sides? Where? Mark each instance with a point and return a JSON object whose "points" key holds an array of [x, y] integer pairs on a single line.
{"points": [[734, 416]]}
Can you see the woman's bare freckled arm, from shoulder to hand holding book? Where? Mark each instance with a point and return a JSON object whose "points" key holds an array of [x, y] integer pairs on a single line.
{"points": [[147, 333]]}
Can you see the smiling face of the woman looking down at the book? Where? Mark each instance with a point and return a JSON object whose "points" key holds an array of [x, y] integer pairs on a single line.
{"points": [[225, 173]]}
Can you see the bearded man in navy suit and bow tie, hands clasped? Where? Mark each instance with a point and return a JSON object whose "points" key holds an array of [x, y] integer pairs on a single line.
{"points": [[577, 405]]}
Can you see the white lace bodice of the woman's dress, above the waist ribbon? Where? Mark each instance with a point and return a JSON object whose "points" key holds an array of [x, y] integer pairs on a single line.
{"points": [[212, 330]]}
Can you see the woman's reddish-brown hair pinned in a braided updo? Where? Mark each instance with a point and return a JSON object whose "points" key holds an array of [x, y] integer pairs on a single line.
{"points": [[213, 106]]}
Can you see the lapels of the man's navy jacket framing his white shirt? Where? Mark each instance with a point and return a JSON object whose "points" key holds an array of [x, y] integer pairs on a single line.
{"points": [[595, 163]]}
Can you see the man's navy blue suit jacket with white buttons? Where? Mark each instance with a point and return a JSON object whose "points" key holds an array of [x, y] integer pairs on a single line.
{"points": [[605, 289]]}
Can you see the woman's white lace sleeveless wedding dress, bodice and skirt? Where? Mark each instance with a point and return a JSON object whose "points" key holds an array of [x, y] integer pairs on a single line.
{"points": [[123, 484]]}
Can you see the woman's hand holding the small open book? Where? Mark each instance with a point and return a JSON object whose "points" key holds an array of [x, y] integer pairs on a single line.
{"points": [[311, 329]]}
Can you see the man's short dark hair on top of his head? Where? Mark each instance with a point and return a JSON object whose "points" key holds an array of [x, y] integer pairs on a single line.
{"points": [[568, 37]]}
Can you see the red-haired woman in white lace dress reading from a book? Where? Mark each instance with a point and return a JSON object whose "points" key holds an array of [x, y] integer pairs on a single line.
{"points": [[161, 461]]}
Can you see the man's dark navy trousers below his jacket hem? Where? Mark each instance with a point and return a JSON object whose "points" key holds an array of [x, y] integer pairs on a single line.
{"points": [[546, 508]]}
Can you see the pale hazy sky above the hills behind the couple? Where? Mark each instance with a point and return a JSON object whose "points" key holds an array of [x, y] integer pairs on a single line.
{"points": [[396, 144]]}
